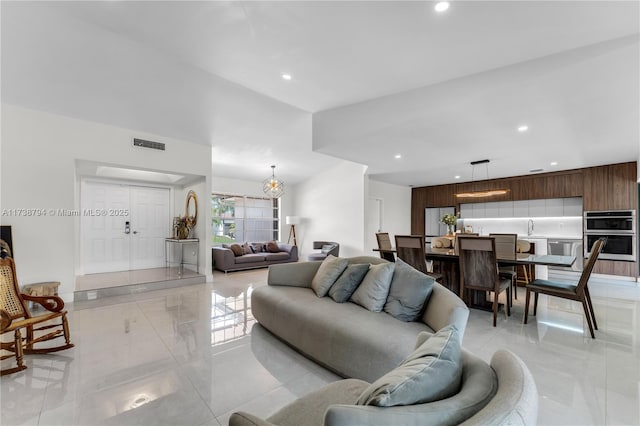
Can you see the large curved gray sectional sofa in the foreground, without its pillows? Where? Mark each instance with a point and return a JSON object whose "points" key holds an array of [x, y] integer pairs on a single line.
{"points": [[363, 346]]}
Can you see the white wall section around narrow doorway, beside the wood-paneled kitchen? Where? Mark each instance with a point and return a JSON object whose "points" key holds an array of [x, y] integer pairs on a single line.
{"points": [[396, 211]]}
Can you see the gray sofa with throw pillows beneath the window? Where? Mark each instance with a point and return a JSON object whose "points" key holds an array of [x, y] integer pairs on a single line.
{"points": [[224, 259]]}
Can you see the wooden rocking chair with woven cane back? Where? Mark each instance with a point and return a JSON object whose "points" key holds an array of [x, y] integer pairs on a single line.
{"points": [[15, 316]]}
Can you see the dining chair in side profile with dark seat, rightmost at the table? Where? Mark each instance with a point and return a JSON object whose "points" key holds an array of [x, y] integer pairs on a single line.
{"points": [[578, 292]]}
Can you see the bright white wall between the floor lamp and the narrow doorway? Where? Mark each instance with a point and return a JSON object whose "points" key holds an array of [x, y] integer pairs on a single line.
{"points": [[331, 206]]}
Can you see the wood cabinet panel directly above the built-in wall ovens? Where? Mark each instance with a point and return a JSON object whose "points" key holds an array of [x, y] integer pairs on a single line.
{"points": [[610, 187]]}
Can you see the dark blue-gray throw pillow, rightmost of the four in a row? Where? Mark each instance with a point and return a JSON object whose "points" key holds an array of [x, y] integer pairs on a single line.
{"points": [[410, 291]]}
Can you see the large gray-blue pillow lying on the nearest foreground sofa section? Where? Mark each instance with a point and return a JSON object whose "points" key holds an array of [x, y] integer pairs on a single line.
{"points": [[430, 373]]}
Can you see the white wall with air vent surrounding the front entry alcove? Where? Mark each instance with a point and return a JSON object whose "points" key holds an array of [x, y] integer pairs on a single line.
{"points": [[39, 151]]}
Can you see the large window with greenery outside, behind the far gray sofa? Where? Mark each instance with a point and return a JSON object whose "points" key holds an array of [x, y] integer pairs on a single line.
{"points": [[237, 218]]}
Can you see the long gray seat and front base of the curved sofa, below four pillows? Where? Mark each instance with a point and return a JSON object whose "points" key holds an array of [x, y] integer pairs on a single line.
{"points": [[345, 337]]}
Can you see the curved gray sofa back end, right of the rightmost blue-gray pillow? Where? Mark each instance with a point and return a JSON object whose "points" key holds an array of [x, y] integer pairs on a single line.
{"points": [[444, 308]]}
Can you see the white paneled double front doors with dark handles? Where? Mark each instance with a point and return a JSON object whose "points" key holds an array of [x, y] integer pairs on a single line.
{"points": [[123, 227]]}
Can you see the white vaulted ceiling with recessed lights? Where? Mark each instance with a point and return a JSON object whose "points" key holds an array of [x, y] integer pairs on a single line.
{"points": [[382, 78]]}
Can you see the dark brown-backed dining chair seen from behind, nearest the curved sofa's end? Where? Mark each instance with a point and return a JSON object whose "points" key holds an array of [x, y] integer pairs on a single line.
{"points": [[479, 270]]}
